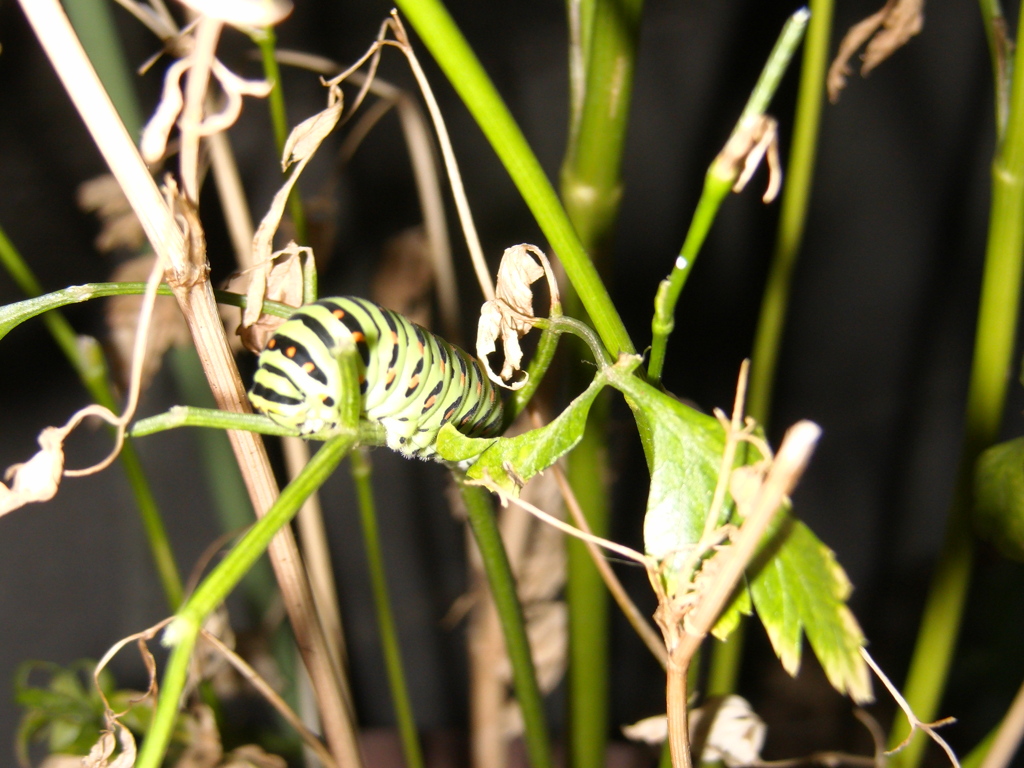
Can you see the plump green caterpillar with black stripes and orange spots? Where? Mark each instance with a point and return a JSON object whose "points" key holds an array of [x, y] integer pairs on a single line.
{"points": [[412, 382]]}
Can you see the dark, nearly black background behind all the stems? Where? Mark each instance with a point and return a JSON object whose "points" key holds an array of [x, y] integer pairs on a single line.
{"points": [[877, 350]]}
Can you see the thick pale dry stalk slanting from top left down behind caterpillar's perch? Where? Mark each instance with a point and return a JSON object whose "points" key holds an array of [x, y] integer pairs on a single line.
{"points": [[188, 274]]}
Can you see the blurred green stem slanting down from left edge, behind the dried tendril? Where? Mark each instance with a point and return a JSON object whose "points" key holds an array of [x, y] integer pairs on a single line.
{"points": [[88, 360]]}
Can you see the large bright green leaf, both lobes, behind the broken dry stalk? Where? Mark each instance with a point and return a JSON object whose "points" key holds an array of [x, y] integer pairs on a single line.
{"points": [[796, 584]]}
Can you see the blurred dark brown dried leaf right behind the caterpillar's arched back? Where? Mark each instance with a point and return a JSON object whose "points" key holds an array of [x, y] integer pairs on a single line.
{"points": [[404, 278]]}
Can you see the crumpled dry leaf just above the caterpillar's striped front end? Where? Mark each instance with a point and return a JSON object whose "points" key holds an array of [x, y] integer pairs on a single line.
{"points": [[281, 280]]}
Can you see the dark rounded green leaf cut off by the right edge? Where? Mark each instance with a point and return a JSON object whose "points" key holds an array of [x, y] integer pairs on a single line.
{"points": [[999, 501]]}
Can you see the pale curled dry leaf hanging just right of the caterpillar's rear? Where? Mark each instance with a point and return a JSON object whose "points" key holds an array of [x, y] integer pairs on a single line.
{"points": [[510, 314]]}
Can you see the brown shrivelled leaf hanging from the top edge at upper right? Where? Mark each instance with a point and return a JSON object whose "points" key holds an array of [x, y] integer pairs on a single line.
{"points": [[888, 30]]}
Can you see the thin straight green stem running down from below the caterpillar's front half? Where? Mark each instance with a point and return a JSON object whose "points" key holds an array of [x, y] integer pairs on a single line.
{"points": [[386, 619]]}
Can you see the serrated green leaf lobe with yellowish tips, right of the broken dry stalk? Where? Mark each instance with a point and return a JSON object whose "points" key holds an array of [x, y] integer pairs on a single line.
{"points": [[798, 587]]}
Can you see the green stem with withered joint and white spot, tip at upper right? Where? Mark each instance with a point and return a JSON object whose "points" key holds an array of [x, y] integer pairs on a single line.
{"points": [[718, 183]]}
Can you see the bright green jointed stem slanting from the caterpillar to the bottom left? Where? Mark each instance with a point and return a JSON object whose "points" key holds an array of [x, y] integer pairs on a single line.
{"points": [[216, 588]]}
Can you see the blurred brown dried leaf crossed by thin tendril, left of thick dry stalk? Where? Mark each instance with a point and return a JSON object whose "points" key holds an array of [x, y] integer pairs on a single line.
{"points": [[167, 329]]}
